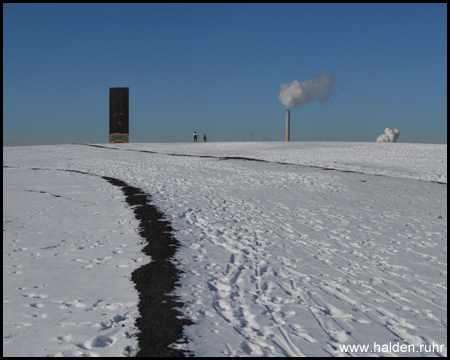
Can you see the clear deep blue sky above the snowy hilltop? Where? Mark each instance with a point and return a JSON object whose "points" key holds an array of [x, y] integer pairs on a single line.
{"points": [[217, 69]]}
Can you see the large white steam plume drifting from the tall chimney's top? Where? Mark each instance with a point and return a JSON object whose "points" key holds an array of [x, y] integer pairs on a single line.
{"points": [[302, 92]]}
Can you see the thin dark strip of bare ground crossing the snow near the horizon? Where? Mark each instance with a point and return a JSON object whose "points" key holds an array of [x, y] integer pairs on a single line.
{"points": [[258, 160]]}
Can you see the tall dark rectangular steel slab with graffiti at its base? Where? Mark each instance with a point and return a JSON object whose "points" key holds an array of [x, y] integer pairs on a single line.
{"points": [[118, 115]]}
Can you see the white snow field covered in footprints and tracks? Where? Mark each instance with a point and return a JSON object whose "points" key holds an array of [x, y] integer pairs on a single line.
{"points": [[280, 257]]}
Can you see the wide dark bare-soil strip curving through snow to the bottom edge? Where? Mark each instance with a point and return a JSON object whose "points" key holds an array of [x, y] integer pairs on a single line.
{"points": [[160, 323]]}
